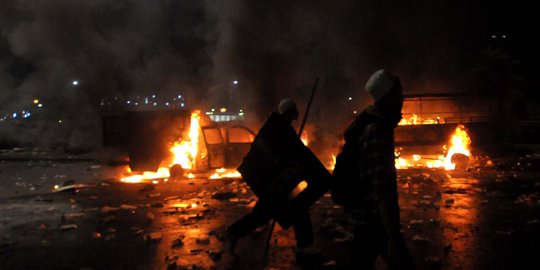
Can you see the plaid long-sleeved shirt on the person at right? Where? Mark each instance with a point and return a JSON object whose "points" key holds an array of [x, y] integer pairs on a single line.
{"points": [[376, 145]]}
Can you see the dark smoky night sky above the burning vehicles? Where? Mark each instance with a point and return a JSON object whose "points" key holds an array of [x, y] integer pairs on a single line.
{"points": [[274, 48]]}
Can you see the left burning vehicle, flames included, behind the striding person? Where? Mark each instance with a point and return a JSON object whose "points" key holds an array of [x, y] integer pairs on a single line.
{"points": [[188, 141]]}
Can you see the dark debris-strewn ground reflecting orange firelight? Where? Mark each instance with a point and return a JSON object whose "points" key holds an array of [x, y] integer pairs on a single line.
{"points": [[484, 218]]}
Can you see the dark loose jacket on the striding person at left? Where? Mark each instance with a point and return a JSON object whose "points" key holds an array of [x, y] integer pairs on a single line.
{"points": [[277, 162]]}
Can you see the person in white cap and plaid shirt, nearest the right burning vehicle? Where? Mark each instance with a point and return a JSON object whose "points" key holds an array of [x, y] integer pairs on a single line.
{"points": [[370, 196]]}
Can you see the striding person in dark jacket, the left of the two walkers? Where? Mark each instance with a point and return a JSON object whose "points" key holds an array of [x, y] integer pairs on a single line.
{"points": [[275, 164]]}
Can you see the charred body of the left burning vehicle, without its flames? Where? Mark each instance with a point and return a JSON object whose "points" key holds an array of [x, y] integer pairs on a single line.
{"points": [[145, 137]]}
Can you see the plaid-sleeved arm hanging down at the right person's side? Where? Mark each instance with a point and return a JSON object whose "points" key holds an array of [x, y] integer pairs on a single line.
{"points": [[382, 173]]}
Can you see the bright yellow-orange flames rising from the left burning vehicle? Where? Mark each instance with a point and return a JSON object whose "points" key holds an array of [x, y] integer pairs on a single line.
{"points": [[183, 155]]}
